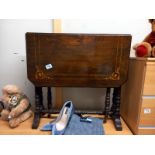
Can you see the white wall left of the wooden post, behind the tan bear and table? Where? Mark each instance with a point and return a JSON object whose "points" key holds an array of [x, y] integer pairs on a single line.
{"points": [[13, 53]]}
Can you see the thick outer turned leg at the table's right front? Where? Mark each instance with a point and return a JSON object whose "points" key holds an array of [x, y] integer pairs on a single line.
{"points": [[116, 109]]}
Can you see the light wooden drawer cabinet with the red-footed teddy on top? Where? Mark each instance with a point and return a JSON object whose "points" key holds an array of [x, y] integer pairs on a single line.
{"points": [[138, 96]]}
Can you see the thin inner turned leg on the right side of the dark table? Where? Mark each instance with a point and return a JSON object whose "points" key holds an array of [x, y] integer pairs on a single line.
{"points": [[107, 104]]}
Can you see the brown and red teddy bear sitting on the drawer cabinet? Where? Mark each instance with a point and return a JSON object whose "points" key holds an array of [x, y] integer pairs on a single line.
{"points": [[147, 47]]}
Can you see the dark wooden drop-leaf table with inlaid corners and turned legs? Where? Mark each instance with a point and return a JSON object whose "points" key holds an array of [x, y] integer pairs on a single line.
{"points": [[77, 60]]}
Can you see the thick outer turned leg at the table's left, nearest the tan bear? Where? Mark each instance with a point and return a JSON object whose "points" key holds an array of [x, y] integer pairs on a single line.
{"points": [[38, 107]]}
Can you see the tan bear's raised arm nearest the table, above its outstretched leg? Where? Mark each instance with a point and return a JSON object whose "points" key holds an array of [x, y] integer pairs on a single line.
{"points": [[19, 109]]}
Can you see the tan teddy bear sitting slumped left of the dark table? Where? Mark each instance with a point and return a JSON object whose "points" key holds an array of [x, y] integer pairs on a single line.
{"points": [[15, 106]]}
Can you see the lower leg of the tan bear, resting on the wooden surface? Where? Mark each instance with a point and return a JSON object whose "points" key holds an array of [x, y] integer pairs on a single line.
{"points": [[16, 121]]}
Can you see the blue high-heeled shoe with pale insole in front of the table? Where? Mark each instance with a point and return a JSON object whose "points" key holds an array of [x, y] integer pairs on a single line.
{"points": [[59, 125]]}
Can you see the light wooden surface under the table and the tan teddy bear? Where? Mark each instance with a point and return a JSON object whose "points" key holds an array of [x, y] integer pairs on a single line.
{"points": [[25, 128]]}
